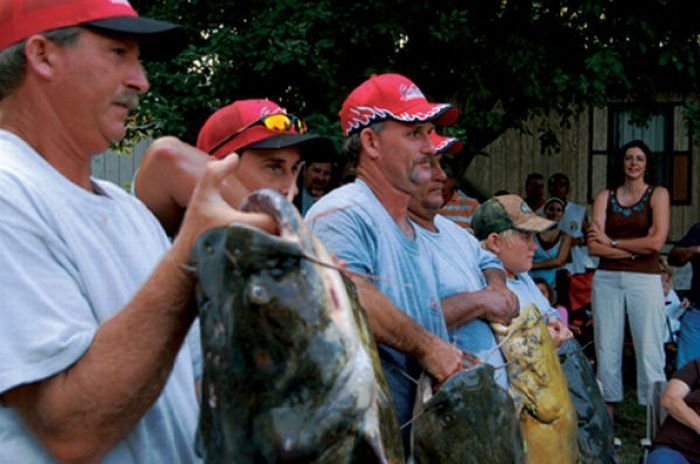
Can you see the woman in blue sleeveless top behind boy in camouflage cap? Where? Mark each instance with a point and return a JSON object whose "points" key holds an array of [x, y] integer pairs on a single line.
{"points": [[553, 245]]}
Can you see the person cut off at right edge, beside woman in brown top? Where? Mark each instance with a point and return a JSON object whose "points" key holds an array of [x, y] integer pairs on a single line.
{"points": [[687, 250]]}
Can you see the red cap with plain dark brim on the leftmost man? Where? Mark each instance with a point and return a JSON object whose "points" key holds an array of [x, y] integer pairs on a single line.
{"points": [[20, 19]]}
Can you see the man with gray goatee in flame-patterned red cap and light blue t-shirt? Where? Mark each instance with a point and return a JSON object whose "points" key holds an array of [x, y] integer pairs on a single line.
{"points": [[387, 123]]}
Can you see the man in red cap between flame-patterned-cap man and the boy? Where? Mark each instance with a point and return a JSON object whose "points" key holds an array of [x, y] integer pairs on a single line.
{"points": [[471, 280]]}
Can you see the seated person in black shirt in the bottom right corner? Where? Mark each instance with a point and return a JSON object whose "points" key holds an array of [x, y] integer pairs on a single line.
{"points": [[677, 440]]}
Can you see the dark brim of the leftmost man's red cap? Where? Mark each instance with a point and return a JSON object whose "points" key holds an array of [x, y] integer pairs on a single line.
{"points": [[158, 40]]}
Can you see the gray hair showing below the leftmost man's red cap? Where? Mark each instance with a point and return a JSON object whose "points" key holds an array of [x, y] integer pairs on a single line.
{"points": [[13, 61]]}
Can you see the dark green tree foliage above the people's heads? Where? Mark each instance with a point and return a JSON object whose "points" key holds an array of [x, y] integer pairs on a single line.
{"points": [[502, 62]]}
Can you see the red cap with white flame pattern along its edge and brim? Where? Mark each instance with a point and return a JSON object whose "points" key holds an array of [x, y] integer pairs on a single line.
{"points": [[391, 96]]}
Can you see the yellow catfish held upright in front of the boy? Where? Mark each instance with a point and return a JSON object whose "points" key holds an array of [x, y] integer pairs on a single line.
{"points": [[538, 386]]}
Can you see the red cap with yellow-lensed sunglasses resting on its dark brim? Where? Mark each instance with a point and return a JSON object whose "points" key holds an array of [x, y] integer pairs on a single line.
{"points": [[233, 128]]}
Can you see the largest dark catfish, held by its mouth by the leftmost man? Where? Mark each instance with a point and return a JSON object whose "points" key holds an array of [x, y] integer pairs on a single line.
{"points": [[291, 372]]}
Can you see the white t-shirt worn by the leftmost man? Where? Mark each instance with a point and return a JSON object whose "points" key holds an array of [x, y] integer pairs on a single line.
{"points": [[69, 260]]}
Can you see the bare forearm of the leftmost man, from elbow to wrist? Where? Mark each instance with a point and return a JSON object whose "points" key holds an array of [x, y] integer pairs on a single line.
{"points": [[82, 412]]}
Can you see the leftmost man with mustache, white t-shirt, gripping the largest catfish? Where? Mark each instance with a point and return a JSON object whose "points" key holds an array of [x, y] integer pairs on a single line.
{"points": [[95, 302]]}
